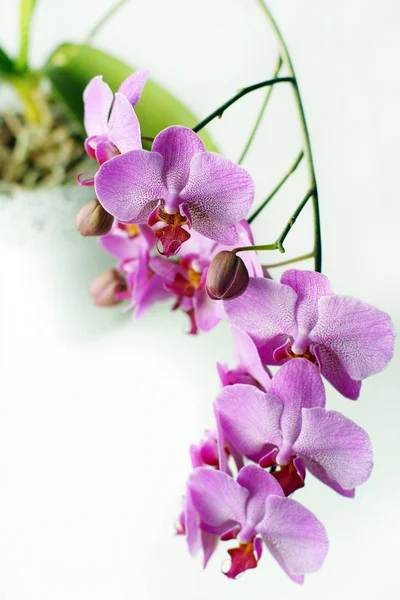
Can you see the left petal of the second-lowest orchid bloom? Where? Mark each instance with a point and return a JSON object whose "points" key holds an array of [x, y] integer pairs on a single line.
{"points": [[249, 419]]}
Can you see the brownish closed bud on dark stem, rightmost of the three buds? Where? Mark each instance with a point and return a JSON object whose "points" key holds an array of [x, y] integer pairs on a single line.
{"points": [[227, 276]]}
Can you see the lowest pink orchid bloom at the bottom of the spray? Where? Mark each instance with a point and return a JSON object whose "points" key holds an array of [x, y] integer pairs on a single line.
{"points": [[253, 510]]}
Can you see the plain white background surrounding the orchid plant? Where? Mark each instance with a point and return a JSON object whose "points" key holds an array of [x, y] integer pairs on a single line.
{"points": [[97, 412]]}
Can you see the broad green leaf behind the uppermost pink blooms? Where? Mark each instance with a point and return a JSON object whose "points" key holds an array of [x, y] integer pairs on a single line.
{"points": [[72, 66]]}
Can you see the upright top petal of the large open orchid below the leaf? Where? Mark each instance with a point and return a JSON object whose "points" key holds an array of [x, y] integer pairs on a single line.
{"points": [[177, 145]]}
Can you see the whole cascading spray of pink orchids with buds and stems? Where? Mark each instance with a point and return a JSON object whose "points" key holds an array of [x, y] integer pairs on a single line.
{"points": [[175, 216]]}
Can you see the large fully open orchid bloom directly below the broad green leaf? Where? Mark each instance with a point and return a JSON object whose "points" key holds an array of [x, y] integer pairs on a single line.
{"points": [[178, 184]]}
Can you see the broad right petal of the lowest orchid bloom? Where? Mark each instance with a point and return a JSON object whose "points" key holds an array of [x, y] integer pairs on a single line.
{"points": [[294, 536]]}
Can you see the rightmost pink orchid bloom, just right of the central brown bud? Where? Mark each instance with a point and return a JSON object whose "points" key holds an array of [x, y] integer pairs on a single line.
{"points": [[301, 317]]}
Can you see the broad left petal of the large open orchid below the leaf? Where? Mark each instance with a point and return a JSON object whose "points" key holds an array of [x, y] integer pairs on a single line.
{"points": [[128, 186]]}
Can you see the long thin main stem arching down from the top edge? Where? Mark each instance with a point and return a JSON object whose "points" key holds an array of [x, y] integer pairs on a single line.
{"points": [[307, 144]]}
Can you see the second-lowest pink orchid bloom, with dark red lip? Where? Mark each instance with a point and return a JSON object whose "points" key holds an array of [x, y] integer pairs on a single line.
{"points": [[289, 427]]}
